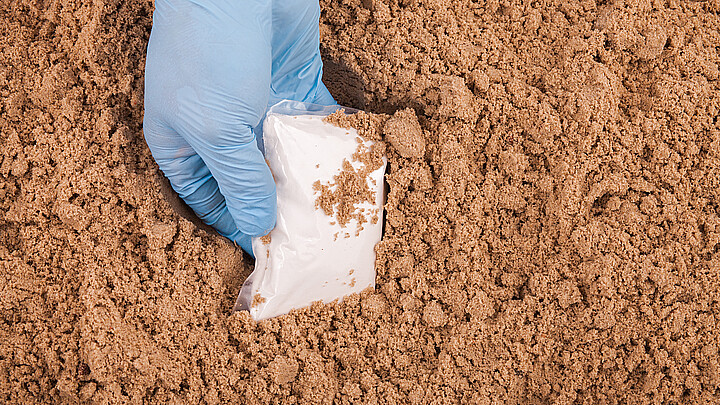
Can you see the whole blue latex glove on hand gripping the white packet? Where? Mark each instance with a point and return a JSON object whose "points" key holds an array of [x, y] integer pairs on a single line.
{"points": [[213, 68]]}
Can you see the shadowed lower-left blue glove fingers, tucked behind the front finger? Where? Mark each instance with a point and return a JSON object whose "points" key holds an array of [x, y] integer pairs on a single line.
{"points": [[193, 181]]}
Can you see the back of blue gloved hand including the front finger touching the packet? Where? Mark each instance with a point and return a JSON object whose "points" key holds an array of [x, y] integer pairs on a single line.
{"points": [[219, 56]]}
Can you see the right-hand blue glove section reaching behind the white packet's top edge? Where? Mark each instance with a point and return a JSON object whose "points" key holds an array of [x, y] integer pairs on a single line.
{"points": [[296, 62]]}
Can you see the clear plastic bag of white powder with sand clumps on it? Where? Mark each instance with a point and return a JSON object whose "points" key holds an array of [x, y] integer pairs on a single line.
{"points": [[322, 248]]}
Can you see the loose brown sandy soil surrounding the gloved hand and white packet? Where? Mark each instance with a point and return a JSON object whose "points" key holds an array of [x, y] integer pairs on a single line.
{"points": [[556, 239]]}
